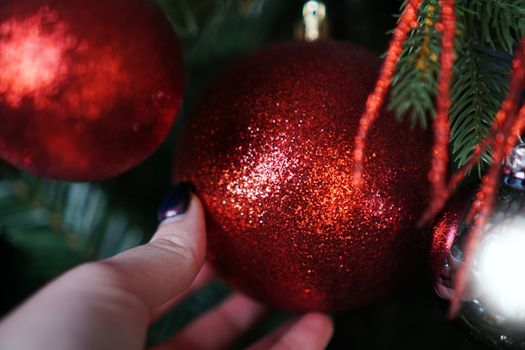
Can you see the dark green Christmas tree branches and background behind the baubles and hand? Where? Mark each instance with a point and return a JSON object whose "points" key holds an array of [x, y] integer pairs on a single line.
{"points": [[49, 226]]}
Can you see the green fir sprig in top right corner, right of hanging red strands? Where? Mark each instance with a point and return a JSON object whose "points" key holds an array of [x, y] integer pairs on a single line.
{"points": [[481, 76]]}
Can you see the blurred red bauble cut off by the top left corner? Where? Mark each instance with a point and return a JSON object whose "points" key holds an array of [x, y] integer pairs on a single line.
{"points": [[88, 89]]}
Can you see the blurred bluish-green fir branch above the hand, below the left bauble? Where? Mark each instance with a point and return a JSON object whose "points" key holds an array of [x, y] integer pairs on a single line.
{"points": [[58, 225]]}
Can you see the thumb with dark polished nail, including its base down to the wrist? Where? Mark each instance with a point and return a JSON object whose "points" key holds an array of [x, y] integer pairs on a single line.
{"points": [[107, 304]]}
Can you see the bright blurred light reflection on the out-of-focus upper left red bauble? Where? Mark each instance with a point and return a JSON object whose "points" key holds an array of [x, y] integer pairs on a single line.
{"points": [[42, 62]]}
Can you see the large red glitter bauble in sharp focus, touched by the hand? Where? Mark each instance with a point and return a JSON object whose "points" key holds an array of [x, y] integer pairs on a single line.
{"points": [[270, 152]]}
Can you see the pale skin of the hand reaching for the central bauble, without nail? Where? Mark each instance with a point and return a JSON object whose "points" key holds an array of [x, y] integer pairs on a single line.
{"points": [[110, 304]]}
